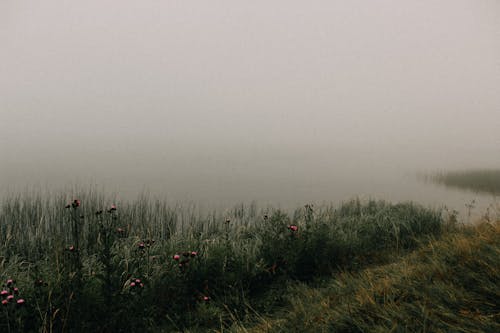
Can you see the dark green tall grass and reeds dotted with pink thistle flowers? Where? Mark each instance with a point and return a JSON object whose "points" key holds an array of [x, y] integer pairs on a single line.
{"points": [[87, 264]]}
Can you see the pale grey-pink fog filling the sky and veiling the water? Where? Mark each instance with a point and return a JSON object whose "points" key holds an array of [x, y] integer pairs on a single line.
{"points": [[219, 102]]}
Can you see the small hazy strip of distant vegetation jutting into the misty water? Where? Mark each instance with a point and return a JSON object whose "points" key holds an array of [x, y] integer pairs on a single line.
{"points": [[486, 181]]}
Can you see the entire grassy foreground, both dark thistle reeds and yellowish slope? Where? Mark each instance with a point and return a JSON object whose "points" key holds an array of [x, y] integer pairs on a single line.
{"points": [[84, 263]]}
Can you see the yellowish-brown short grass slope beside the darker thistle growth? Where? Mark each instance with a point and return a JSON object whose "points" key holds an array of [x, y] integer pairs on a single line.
{"points": [[450, 284]]}
